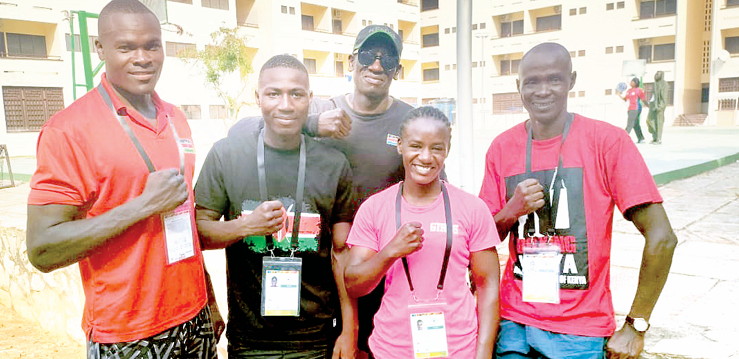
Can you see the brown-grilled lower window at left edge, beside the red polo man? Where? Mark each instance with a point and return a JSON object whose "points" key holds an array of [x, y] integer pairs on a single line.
{"points": [[28, 108]]}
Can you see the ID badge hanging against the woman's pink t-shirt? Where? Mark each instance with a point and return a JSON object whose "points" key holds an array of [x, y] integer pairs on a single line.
{"points": [[428, 331]]}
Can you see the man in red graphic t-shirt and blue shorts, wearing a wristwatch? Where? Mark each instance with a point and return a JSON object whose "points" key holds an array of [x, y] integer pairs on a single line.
{"points": [[552, 182]]}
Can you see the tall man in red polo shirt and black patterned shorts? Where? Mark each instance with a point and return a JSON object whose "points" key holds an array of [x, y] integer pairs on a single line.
{"points": [[113, 192]]}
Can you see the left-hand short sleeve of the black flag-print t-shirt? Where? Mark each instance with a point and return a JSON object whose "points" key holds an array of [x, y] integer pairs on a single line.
{"points": [[210, 191]]}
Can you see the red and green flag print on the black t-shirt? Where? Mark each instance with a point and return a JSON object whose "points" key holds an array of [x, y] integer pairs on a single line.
{"points": [[308, 237]]}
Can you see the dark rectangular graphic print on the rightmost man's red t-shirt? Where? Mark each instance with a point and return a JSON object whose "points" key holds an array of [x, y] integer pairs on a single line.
{"points": [[570, 234]]}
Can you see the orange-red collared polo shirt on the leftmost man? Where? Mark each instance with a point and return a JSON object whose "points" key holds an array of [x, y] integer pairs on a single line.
{"points": [[85, 158]]}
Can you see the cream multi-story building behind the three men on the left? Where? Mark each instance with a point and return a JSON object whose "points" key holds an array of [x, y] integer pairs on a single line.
{"points": [[36, 57]]}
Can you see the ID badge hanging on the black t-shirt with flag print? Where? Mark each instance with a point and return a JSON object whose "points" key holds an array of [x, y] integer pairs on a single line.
{"points": [[281, 278]]}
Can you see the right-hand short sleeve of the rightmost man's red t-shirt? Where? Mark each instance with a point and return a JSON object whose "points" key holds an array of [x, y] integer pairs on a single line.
{"points": [[627, 175]]}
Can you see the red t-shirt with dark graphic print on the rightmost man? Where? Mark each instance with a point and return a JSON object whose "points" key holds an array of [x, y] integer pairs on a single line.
{"points": [[602, 168]]}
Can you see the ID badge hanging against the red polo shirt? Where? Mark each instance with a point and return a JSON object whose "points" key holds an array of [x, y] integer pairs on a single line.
{"points": [[178, 233]]}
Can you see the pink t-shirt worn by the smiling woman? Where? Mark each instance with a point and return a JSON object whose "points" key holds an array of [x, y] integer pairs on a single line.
{"points": [[474, 230]]}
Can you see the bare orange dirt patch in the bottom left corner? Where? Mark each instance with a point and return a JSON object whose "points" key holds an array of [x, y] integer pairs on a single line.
{"points": [[21, 339]]}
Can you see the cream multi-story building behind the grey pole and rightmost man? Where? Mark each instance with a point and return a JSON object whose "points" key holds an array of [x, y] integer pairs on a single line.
{"points": [[604, 37]]}
